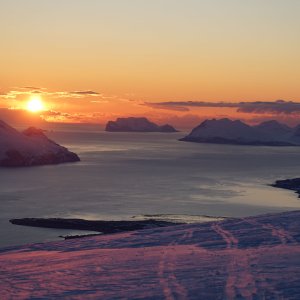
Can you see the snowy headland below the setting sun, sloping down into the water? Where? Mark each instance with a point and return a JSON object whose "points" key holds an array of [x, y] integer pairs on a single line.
{"points": [[30, 148]]}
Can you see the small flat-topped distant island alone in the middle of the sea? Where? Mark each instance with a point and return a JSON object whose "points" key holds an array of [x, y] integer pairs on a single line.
{"points": [[137, 125]]}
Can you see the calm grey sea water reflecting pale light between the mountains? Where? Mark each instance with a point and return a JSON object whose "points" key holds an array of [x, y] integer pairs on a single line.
{"points": [[124, 174]]}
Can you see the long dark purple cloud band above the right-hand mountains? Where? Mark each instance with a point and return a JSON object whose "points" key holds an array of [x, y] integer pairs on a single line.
{"points": [[257, 107]]}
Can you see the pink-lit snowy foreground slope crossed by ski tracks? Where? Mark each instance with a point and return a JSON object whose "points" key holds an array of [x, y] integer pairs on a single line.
{"points": [[249, 258]]}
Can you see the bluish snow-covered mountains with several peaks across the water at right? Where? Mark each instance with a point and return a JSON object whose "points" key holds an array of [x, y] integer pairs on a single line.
{"points": [[226, 131]]}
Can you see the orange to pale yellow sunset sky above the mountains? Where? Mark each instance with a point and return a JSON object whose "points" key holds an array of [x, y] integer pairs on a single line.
{"points": [[95, 60]]}
